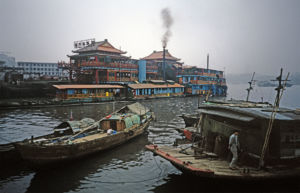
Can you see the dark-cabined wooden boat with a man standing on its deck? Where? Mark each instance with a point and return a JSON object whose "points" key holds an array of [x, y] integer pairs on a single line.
{"points": [[209, 156]]}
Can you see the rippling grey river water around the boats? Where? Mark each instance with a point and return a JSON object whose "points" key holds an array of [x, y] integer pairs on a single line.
{"points": [[129, 167]]}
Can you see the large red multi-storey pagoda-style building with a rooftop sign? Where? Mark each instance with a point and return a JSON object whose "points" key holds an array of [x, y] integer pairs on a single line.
{"points": [[100, 62]]}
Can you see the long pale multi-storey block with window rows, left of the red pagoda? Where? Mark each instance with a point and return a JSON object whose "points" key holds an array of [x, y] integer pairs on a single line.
{"points": [[39, 69]]}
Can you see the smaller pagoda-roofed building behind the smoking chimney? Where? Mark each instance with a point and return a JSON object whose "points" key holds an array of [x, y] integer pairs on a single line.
{"points": [[154, 66]]}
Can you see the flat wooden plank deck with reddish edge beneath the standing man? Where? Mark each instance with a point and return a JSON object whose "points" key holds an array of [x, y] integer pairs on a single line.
{"points": [[209, 164]]}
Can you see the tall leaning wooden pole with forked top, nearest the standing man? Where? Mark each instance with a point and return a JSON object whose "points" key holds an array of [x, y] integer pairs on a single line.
{"points": [[280, 90]]}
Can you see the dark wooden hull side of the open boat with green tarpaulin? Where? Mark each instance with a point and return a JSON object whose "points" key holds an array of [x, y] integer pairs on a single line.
{"points": [[41, 154]]}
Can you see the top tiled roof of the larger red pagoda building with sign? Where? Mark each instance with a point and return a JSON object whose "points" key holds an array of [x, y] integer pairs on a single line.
{"points": [[104, 46]]}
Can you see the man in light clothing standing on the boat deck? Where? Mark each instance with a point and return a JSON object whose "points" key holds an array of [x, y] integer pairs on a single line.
{"points": [[234, 145]]}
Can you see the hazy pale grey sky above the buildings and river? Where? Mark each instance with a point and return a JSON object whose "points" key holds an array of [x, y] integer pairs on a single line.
{"points": [[240, 35]]}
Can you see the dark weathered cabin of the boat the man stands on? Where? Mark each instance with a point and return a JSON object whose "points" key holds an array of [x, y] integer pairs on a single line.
{"points": [[251, 120]]}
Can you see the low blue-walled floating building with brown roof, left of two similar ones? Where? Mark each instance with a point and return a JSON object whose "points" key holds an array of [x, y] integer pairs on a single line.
{"points": [[87, 93]]}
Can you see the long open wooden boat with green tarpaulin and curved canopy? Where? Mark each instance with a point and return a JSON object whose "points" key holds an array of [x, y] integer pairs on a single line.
{"points": [[66, 144]]}
